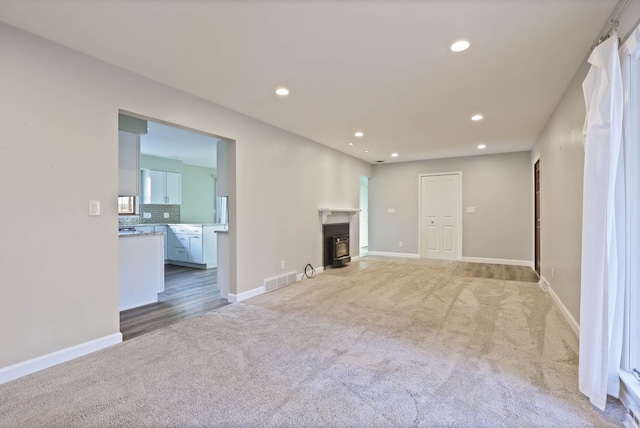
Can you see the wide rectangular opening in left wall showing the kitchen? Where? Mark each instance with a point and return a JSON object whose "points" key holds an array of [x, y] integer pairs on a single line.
{"points": [[171, 195]]}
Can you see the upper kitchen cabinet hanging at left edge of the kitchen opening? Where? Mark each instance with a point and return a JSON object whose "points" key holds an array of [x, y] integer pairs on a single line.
{"points": [[128, 164]]}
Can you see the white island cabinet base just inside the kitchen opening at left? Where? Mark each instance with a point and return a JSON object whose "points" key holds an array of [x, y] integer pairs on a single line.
{"points": [[141, 269]]}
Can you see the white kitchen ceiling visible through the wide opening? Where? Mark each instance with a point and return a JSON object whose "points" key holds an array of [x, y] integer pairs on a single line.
{"points": [[174, 143]]}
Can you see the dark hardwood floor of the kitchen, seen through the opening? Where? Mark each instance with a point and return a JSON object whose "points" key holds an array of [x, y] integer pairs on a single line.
{"points": [[188, 293]]}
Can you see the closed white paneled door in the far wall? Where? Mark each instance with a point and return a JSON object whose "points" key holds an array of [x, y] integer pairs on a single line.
{"points": [[440, 234]]}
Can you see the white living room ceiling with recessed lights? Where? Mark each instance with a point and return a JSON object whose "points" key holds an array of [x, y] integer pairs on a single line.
{"points": [[380, 66]]}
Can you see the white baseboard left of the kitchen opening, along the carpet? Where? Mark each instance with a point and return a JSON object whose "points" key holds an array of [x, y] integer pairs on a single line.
{"points": [[33, 365]]}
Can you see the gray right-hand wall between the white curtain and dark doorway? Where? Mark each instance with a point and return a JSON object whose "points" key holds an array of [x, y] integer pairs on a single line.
{"points": [[561, 153]]}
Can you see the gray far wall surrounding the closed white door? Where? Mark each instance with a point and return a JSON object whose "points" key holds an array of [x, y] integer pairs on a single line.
{"points": [[499, 186]]}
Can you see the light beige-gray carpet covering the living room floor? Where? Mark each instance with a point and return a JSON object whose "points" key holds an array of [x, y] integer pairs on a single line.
{"points": [[377, 343]]}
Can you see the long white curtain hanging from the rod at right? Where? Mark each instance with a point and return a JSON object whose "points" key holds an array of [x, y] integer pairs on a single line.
{"points": [[603, 228]]}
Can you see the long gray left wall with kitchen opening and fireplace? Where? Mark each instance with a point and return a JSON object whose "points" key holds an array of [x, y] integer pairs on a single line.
{"points": [[58, 150]]}
